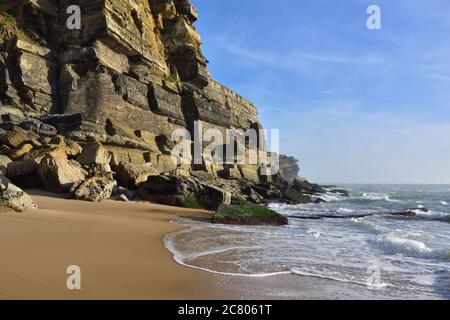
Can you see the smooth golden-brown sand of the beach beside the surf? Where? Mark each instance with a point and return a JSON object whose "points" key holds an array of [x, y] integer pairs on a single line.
{"points": [[118, 246]]}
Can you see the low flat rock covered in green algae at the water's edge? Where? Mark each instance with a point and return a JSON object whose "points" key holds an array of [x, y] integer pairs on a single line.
{"points": [[248, 214]]}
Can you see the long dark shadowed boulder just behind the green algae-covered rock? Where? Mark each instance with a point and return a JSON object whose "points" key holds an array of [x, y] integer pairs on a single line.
{"points": [[178, 191]]}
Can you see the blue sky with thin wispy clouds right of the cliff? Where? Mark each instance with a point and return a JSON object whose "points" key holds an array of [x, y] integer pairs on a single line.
{"points": [[353, 105]]}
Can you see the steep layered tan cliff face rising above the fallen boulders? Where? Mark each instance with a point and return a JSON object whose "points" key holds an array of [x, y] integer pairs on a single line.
{"points": [[129, 77]]}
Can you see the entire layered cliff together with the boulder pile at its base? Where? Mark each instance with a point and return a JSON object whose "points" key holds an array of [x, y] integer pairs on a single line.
{"points": [[77, 103]]}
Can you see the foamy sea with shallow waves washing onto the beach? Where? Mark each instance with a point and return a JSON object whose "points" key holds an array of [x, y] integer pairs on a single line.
{"points": [[357, 243]]}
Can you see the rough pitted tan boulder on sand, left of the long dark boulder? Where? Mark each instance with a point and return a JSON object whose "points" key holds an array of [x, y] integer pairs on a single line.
{"points": [[96, 189]]}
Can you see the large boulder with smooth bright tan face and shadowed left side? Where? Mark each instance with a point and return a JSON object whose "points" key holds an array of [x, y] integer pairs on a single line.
{"points": [[57, 174]]}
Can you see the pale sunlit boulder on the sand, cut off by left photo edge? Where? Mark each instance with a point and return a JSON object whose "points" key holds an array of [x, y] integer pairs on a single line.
{"points": [[14, 198]]}
